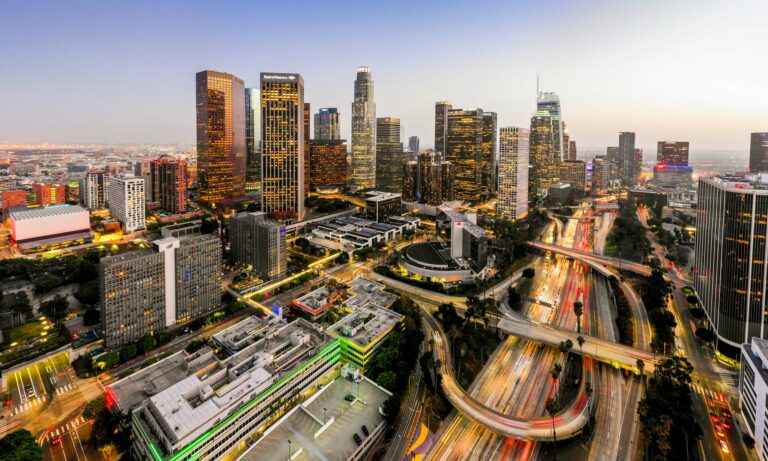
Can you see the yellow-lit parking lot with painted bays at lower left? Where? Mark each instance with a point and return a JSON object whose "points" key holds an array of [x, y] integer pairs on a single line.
{"points": [[30, 386]]}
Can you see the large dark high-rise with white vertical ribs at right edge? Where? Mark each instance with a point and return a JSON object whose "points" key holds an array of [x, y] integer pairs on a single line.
{"points": [[730, 272]]}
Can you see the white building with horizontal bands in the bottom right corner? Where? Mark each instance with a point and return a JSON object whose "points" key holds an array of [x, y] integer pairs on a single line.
{"points": [[753, 392]]}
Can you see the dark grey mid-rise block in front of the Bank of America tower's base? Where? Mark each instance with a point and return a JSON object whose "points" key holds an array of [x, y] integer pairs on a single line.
{"points": [[258, 242]]}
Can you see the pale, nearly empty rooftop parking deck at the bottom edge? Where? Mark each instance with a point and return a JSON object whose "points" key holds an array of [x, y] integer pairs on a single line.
{"points": [[336, 442]]}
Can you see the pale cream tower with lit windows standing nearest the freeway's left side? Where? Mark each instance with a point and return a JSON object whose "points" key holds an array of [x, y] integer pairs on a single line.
{"points": [[514, 149]]}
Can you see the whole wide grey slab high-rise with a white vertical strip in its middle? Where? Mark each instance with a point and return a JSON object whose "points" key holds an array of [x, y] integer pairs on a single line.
{"points": [[145, 291]]}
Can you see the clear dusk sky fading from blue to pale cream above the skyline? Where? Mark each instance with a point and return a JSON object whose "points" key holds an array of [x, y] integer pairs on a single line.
{"points": [[124, 72]]}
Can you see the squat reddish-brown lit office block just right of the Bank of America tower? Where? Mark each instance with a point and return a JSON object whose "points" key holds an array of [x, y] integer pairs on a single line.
{"points": [[328, 164]]}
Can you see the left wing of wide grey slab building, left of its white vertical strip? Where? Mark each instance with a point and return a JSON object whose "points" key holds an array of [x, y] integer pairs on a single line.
{"points": [[132, 287]]}
